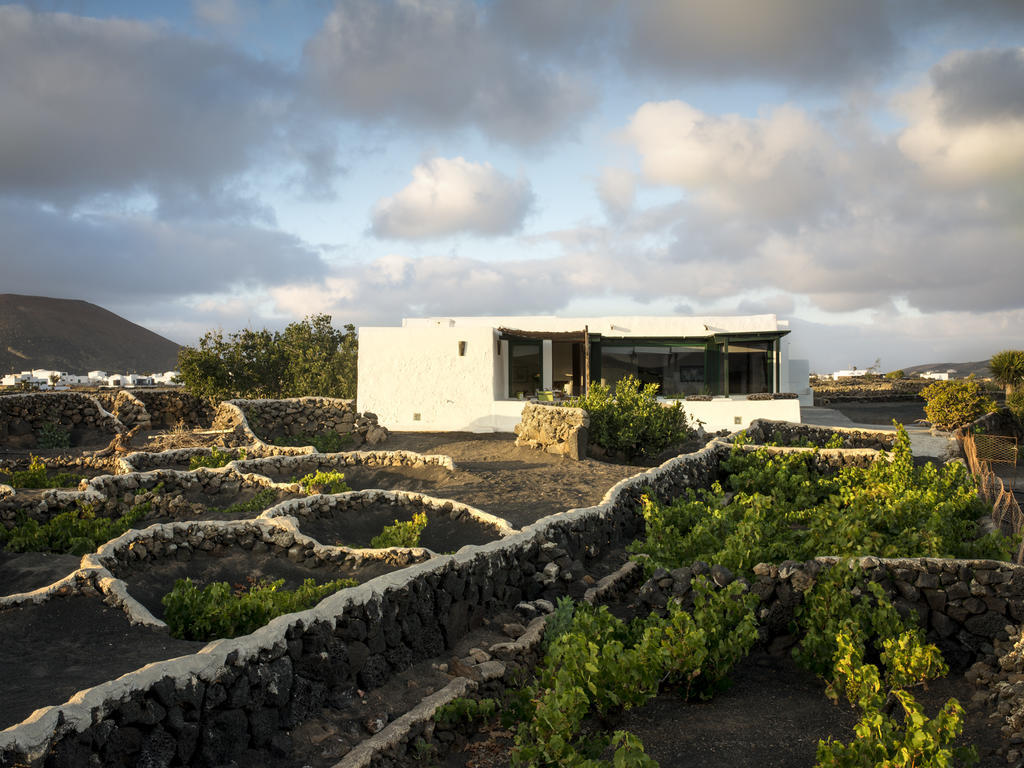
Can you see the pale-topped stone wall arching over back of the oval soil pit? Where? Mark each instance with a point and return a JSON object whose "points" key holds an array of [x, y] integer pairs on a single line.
{"points": [[353, 502]]}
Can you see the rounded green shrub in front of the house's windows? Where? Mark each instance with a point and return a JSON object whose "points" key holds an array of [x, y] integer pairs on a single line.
{"points": [[632, 421]]}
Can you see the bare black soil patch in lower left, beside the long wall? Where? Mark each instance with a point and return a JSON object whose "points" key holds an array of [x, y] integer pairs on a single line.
{"points": [[68, 645]]}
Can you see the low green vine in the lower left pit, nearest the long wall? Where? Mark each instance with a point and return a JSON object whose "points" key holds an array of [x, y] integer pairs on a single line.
{"points": [[217, 611]]}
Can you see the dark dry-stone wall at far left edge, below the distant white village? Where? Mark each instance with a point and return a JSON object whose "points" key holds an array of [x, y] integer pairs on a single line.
{"points": [[23, 416]]}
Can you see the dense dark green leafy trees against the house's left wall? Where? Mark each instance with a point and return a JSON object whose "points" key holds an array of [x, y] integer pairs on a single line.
{"points": [[311, 358]]}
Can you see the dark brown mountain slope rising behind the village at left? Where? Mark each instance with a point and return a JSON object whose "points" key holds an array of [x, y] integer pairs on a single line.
{"points": [[77, 337]]}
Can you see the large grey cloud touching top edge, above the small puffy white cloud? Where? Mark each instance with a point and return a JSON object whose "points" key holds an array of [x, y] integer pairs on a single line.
{"points": [[440, 64]]}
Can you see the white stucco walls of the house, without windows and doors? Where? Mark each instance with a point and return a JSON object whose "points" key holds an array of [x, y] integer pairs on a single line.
{"points": [[414, 378]]}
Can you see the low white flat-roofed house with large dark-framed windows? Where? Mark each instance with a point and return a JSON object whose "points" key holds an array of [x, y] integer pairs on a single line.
{"points": [[474, 374]]}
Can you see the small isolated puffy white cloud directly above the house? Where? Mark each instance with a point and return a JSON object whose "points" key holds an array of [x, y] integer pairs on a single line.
{"points": [[451, 196]]}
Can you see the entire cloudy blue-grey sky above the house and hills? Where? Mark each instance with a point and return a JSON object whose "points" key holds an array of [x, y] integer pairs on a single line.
{"points": [[855, 167]]}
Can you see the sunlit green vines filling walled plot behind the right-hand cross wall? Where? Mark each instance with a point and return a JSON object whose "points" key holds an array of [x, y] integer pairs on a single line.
{"points": [[783, 508]]}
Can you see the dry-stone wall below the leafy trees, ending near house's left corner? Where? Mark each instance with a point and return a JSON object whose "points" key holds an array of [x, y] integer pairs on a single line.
{"points": [[300, 416]]}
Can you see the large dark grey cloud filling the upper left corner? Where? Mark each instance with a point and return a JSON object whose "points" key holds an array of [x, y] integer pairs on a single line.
{"points": [[96, 107]]}
